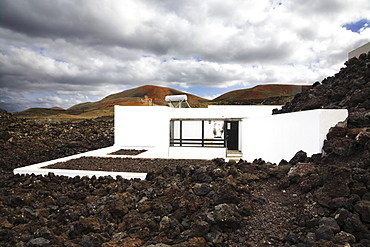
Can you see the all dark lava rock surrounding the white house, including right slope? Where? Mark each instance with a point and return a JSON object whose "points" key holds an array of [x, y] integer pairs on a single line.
{"points": [[323, 200]]}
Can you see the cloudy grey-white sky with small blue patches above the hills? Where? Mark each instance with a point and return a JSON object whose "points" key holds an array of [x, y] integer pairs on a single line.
{"points": [[64, 52]]}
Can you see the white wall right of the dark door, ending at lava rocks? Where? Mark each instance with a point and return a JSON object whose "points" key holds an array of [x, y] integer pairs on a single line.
{"points": [[278, 137]]}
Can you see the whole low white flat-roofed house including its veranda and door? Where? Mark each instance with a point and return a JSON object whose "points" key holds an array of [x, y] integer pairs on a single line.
{"points": [[246, 132]]}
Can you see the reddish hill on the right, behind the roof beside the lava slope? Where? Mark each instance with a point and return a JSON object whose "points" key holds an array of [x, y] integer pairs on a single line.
{"points": [[261, 94]]}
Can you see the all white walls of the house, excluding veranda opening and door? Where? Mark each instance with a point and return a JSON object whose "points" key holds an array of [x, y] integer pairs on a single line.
{"points": [[272, 138]]}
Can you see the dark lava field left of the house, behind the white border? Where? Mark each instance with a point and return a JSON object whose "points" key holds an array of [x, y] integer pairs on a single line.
{"points": [[24, 142]]}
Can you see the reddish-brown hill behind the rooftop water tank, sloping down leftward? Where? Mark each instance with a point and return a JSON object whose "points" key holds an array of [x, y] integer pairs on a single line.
{"points": [[133, 97]]}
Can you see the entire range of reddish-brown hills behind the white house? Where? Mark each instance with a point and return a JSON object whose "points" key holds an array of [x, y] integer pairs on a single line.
{"points": [[155, 95]]}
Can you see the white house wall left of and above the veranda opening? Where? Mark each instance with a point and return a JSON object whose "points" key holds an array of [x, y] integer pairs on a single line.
{"points": [[147, 126]]}
